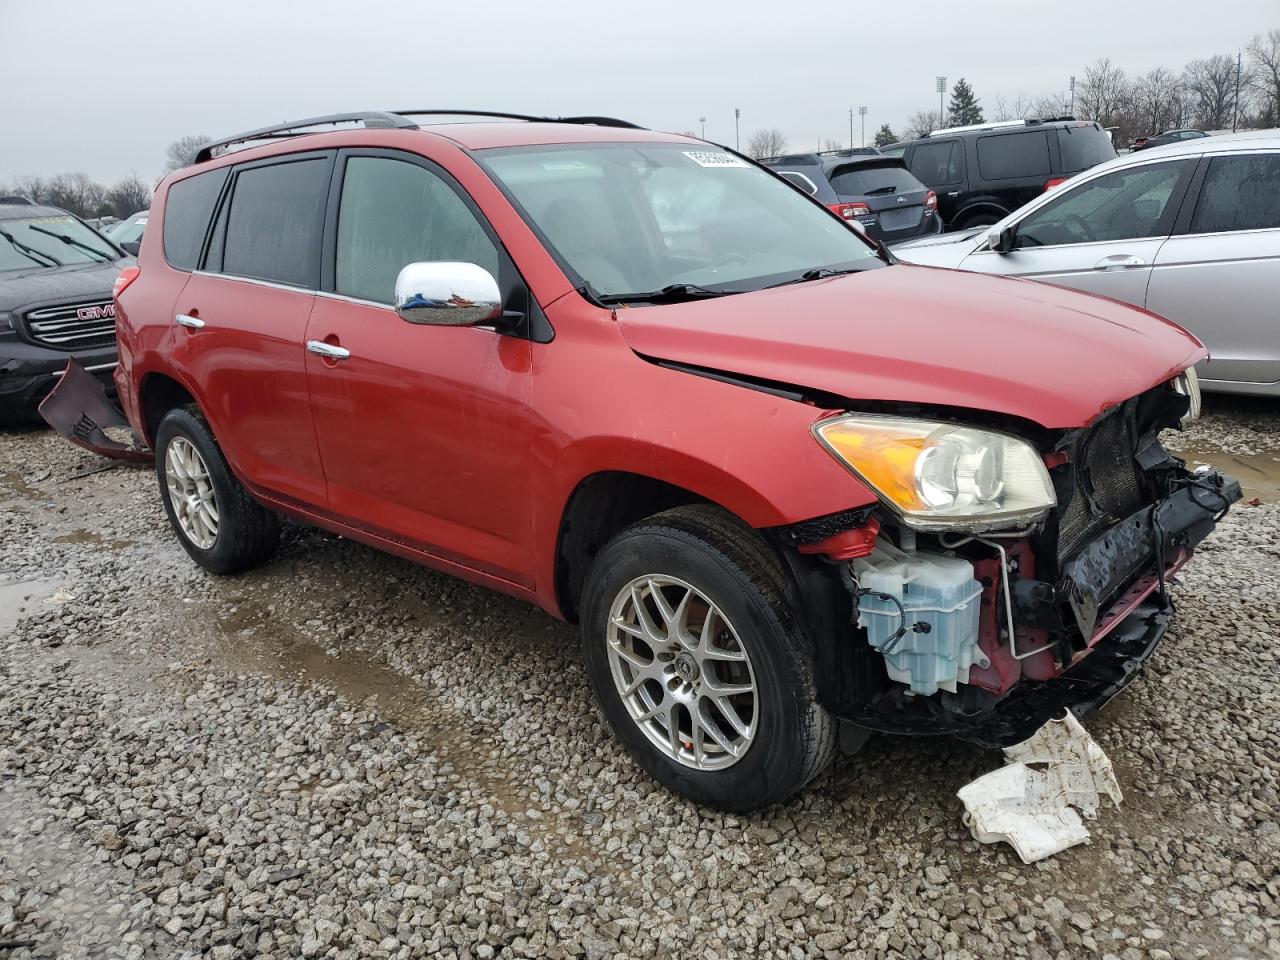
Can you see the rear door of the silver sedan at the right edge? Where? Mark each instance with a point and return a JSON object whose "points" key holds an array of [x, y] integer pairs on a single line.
{"points": [[1220, 275]]}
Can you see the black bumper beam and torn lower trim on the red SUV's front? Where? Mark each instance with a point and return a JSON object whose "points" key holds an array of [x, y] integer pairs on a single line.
{"points": [[1105, 612]]}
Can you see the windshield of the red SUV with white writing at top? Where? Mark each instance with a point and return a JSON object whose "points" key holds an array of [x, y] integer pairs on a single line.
{"points": [[657, 221]]}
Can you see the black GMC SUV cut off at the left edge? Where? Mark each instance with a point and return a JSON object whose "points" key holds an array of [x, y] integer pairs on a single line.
{"points": [[56, 303]]}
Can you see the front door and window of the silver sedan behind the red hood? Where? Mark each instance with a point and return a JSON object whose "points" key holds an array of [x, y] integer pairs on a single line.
{"points": [[1100, 237]]}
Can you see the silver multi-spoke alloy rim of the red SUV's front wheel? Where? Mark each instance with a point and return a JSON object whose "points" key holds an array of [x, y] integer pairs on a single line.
{"points": [[683, 673]]}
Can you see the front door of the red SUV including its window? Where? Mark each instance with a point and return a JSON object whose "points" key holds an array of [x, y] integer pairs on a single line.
{"points": [[424, 431]]}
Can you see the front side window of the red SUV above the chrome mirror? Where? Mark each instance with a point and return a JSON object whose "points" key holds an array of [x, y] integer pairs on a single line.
{"points": [[396, 213]]}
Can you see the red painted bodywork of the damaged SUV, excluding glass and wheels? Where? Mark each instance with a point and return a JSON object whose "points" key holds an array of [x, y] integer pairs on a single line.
{"points": [[461, 449]]}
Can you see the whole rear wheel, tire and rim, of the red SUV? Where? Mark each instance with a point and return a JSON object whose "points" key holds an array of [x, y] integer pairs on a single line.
{"points": [[244, 534]]}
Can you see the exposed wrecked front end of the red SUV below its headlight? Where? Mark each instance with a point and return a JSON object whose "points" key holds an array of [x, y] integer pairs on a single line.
{"points": [[986, 632]]}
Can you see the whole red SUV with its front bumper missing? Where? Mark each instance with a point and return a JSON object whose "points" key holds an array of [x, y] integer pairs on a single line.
{"points": [[790, 490]]}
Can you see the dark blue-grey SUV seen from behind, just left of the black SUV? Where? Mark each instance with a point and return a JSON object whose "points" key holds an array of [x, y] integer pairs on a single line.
{"points": [[876, 193]]}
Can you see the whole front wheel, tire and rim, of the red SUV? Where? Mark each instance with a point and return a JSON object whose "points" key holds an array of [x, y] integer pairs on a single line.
{"points": [[783, 739]]}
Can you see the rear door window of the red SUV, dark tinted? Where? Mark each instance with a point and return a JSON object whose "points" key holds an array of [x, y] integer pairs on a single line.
{"points": [[276, 223]]}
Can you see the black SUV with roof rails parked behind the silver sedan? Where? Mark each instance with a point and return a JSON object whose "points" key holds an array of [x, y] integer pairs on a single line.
{"points": [[984, 173]]}
